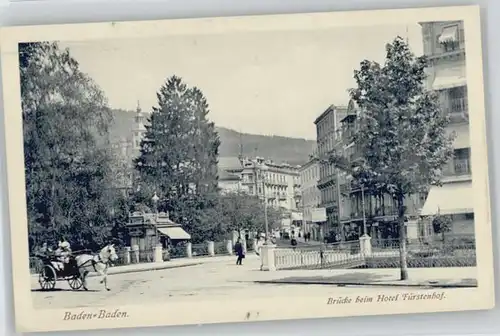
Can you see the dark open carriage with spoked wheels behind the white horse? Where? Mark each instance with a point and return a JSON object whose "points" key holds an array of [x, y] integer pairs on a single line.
{"points": [[53, 270]]}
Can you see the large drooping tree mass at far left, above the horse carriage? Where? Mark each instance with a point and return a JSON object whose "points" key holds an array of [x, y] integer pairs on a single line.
{"points": [[65, 119]]}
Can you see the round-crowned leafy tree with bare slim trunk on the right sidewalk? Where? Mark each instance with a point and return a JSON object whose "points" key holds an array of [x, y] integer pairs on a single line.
{"points": [[401, 136]]}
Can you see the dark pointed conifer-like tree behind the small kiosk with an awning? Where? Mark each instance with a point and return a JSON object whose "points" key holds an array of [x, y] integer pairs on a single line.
{"points": [[178, 159]]}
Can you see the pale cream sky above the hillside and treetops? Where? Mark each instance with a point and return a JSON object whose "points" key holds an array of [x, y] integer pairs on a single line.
{"points": [[270, 83]]}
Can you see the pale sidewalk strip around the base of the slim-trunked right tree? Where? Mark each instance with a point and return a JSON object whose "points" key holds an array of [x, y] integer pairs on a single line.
{"points": [[418, 277]]}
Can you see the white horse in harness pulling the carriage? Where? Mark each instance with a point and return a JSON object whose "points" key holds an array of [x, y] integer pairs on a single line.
{"points": [[97, 263]]}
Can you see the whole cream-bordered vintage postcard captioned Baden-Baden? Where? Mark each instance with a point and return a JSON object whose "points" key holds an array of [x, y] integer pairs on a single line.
{"points": [[233, 169]]}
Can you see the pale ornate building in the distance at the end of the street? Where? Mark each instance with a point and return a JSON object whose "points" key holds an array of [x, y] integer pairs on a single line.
{"points": [[277, 184]]}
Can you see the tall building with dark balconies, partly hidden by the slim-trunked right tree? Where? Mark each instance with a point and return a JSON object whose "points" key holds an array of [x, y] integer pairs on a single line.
{"points": [[327, 125]]}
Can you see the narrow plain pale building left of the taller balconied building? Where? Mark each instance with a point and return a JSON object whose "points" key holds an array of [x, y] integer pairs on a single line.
{"points": [[311, 196]]}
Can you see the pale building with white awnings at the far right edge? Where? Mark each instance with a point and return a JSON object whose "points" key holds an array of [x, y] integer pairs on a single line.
{"points": [[444, 45]]}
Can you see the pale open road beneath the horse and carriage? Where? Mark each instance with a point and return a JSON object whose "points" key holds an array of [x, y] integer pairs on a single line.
{"points": [[201, 282]]}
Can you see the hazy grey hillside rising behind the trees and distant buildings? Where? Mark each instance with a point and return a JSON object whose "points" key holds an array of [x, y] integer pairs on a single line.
{"points": [[279, 149]]}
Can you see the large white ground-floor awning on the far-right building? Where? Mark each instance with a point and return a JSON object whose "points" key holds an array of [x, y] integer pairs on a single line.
{"points": [[451, 198]]}
